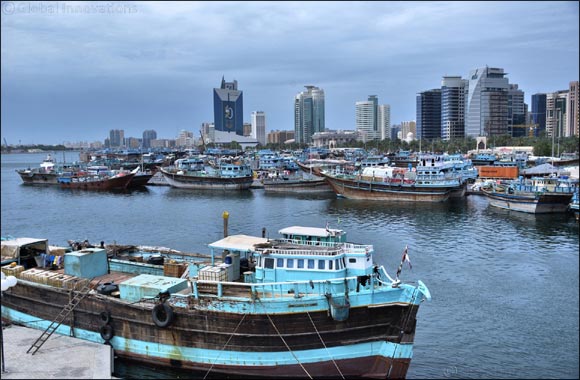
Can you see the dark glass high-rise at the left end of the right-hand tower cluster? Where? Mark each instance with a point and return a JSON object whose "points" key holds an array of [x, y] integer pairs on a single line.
{"points": [[429, 114]]}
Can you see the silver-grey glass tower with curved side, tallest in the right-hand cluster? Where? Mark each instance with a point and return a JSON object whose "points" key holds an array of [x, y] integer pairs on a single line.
{"points": [[486, 107]]}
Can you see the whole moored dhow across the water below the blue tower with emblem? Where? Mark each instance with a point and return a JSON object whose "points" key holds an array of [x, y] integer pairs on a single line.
{"points": [[228, 176]]}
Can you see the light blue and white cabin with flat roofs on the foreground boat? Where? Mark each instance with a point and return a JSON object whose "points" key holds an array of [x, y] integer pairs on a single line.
{"points": [[302, 254]]}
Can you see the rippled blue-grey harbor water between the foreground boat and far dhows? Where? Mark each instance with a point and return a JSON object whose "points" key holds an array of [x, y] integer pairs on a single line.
{"points": [[504, 284]]}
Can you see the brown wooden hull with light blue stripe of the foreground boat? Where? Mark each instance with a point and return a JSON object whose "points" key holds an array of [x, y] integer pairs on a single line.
{"points": [[374, 342]]}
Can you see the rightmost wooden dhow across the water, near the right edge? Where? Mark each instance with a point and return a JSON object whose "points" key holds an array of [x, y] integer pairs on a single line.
{"points": [[538, 195]]}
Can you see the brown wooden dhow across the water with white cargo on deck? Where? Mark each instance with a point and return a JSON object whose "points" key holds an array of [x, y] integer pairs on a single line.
{"points": [[396, 184]]}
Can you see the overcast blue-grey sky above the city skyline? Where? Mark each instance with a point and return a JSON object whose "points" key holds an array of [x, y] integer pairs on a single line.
{"points": [[72, 71]]}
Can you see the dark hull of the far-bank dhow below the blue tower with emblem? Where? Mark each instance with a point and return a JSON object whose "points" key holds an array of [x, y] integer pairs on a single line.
{"points": [[207, 182]]}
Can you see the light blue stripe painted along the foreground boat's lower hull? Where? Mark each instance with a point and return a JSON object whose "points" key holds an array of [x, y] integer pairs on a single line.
{"points": [[225, 357]]}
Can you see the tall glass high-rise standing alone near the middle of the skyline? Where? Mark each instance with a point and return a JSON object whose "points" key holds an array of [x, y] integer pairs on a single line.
{"points": [[308, 114]]}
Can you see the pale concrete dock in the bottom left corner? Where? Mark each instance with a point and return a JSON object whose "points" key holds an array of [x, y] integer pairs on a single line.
{"points": [[61, 357]]}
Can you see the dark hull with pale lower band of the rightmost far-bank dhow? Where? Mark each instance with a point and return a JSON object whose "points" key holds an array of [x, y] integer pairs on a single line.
{"points": [[545, 203]]}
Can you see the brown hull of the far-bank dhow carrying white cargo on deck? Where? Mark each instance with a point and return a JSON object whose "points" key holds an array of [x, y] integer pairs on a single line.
{"points": [[374, 190]]}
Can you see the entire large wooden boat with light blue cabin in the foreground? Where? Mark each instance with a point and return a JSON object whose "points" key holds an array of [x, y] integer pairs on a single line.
{"points": [[307, 305]]}
